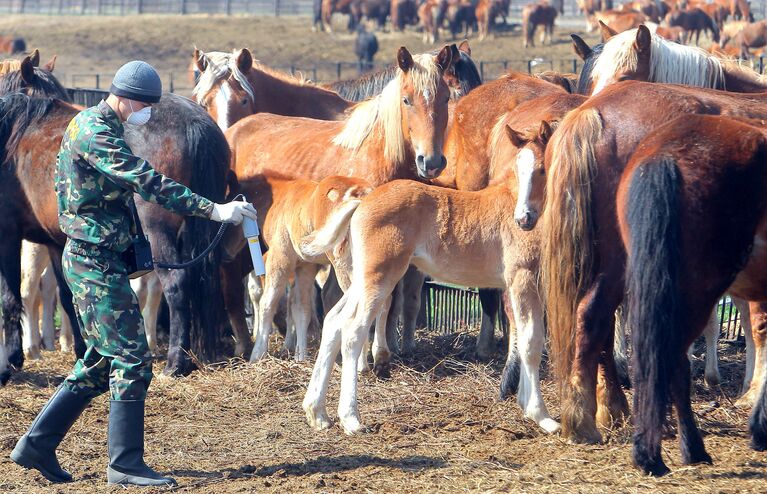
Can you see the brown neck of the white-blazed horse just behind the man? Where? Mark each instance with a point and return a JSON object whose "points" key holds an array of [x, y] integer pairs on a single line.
{"points": [[282, 97]]}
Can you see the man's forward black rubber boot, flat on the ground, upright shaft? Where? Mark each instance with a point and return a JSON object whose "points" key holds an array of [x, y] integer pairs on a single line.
{"points": [[126, 447]]}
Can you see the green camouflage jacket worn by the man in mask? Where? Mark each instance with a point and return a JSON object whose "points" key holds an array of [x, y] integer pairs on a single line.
{"points": [[96, 176]]}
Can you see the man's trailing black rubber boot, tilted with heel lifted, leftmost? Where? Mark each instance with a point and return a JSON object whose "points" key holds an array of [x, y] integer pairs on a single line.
{"points": [[37, 448]]}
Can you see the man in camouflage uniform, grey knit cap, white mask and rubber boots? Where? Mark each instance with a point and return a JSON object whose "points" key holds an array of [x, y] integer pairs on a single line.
{"points": [[96, 177]]}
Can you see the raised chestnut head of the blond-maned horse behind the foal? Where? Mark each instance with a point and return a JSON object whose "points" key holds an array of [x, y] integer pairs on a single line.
{"points": [[424, 97]]}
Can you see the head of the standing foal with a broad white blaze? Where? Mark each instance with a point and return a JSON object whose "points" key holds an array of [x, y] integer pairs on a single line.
{"points": [[530, 172]]}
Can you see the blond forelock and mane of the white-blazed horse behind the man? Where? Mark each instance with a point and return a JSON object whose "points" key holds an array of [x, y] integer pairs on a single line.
{"points": [[222, 66]]}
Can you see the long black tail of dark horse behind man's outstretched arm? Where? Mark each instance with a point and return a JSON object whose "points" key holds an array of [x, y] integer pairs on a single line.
{"points": [[208, 153]]}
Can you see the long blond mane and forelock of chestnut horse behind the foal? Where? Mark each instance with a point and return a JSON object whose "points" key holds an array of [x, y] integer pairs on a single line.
{"points": [[382, 114]]}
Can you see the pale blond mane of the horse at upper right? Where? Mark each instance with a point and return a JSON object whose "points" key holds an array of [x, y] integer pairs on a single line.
{"points": [[669, 62]]}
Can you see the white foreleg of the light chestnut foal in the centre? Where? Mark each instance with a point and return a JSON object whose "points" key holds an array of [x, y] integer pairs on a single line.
{"points": [[528, 319]]}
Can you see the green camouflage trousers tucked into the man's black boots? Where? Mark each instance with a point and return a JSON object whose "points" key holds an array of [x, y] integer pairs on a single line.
{"points": [[117, 356]]}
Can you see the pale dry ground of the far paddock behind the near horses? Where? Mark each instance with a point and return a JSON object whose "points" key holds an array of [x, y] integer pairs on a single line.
{"points": [[88, 45]]}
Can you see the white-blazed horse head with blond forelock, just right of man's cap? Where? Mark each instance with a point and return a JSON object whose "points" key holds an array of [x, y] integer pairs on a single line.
{"points": [[224, 88]]}
